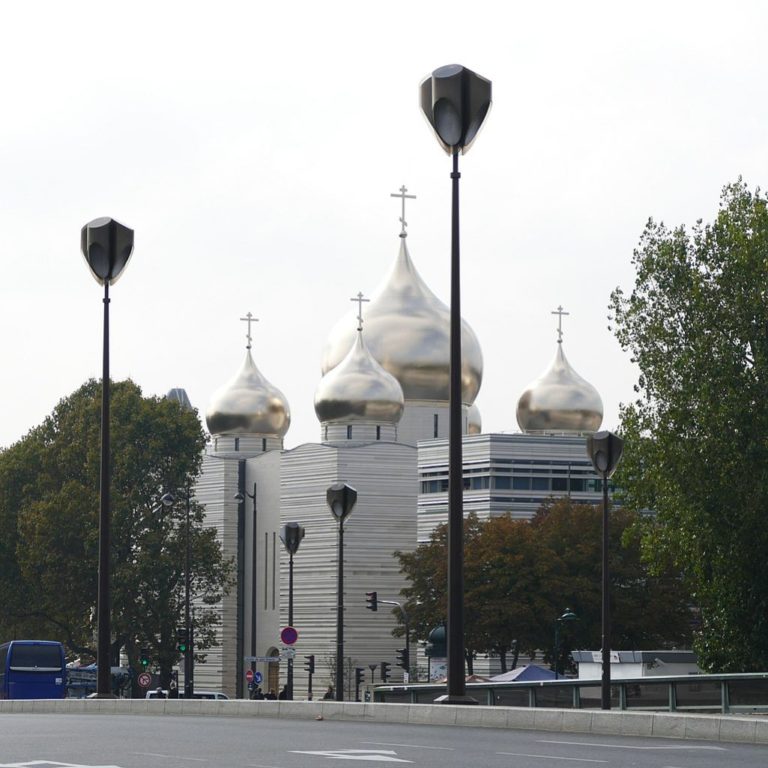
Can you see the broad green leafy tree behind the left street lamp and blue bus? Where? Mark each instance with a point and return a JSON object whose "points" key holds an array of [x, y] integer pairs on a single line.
{"points": [[49, 507]]}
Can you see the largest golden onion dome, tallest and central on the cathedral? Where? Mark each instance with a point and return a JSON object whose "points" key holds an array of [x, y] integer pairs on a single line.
{"points": [[407, 331]]}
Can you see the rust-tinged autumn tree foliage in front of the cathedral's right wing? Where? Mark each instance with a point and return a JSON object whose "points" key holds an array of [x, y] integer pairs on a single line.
{"points": [[519, 576]]}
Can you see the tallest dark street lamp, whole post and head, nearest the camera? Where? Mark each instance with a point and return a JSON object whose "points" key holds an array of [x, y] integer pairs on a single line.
{"points": [[455, 101]]}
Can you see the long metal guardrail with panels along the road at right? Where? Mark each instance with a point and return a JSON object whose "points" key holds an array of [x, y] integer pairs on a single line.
{"points": [[743, 693]]}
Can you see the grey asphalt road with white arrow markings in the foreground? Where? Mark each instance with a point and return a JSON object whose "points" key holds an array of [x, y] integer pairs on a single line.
{"points": [[141, 741]]}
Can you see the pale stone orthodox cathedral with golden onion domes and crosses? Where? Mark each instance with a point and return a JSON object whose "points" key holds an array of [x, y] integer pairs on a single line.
{"points": [[382, 407]]}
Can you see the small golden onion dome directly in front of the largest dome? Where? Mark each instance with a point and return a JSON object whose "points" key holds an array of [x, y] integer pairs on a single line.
{"points": [[358, 389]]}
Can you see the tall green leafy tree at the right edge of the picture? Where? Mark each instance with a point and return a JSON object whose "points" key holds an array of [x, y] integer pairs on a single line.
{"points": [[696, 452]]}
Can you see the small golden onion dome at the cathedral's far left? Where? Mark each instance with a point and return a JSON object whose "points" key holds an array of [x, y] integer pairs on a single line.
{"points": [[248, 405]]}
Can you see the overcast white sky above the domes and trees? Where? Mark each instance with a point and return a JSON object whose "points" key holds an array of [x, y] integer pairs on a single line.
{"points": [[253, 148]]}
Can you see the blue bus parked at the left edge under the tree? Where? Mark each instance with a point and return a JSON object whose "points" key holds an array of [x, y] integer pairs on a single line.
{"points": [[32, 669]]}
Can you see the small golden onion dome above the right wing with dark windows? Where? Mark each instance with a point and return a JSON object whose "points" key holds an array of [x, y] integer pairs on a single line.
{"points": [[560, 401]]}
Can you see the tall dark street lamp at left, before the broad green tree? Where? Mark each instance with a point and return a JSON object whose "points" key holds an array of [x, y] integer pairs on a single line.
{"points": [[107, 246]]}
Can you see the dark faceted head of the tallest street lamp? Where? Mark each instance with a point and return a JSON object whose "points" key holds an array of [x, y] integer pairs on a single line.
{"points": [[455, 101]]}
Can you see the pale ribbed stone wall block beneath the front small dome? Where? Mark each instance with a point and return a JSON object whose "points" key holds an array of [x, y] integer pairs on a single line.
{"points": [[383, 520]]}
